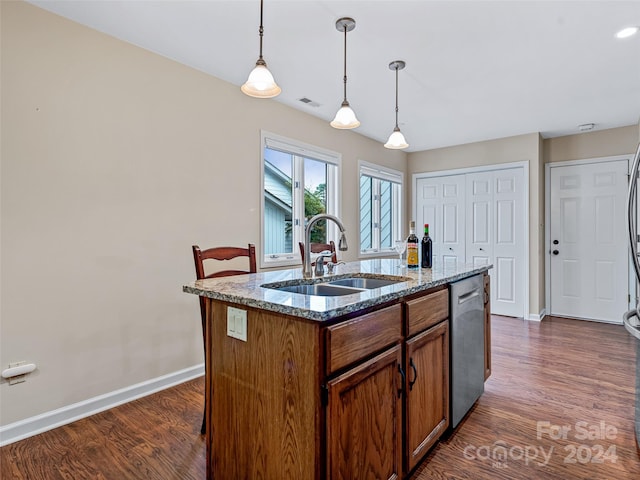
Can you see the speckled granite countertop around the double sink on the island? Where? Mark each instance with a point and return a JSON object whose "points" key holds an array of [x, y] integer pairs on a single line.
{"points": [[248, 289]]}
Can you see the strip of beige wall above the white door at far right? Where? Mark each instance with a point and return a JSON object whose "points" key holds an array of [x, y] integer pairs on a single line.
{"points": [[601, 143]]}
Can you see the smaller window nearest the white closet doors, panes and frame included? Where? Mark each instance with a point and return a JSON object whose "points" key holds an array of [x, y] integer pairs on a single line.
{"points": [[380, 208]]}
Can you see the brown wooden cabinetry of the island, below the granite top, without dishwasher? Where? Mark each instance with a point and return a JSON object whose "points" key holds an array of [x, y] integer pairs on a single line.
{"points": [[363, 398]]}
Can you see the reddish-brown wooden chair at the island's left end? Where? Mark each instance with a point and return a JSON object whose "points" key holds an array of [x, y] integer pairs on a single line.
{"points": [[221, 254]]}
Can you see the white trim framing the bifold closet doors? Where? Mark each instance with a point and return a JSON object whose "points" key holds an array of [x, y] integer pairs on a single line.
{"points": [[525, 206]]}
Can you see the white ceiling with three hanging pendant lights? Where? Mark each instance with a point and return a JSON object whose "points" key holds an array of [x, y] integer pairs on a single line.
{"points": [[476, 70]]}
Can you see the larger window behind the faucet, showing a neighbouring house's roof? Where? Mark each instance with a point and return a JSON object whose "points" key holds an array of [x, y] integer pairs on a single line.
{"points": [[299, 181]]}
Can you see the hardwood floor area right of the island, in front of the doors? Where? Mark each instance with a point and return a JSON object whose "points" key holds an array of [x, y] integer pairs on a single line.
{"points": [[560, 372]]}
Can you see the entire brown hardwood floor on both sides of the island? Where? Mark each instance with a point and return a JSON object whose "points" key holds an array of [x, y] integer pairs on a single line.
{"points": [[545, 375]]}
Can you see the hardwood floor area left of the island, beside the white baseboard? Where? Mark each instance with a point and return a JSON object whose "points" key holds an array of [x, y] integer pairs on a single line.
{"points": [[155, 437]]}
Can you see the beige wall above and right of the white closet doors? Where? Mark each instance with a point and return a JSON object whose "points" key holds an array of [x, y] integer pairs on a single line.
{"points": [[491, 152]]}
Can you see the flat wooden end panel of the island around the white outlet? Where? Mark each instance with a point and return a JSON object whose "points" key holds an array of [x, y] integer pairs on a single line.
{"points": [[264, 420]]}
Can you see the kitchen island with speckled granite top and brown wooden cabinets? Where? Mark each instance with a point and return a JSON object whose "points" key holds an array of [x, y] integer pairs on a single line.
{"points": [[351, 384]]}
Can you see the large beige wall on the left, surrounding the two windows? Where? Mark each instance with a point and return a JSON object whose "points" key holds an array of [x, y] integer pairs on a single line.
{"points": [[114, 162]]}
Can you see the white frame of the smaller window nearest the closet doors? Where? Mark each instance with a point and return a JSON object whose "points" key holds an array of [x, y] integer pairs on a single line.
{"points": [[378, 173]]}
